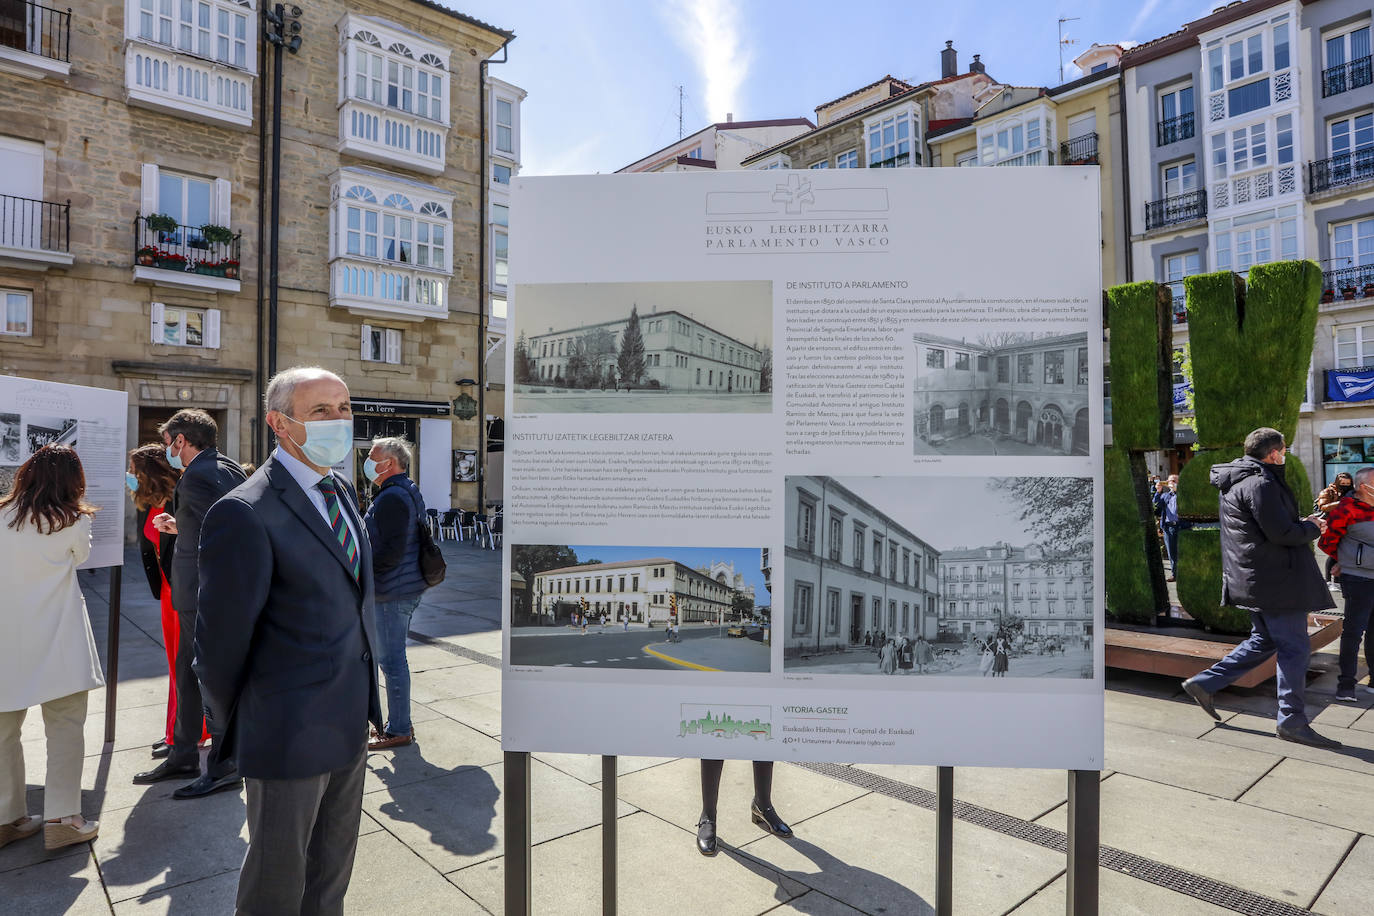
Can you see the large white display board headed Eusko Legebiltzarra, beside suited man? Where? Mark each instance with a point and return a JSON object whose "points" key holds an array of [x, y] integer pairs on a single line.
{"points": [[844, 429]]}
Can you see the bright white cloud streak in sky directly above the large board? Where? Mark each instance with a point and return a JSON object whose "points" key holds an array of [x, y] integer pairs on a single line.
{"points": [[712, 34]]}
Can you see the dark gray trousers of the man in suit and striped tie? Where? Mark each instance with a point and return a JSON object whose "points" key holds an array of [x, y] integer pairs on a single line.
{"points": [[303, 836]]}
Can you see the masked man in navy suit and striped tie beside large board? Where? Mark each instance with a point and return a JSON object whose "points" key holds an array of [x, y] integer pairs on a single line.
{"points": [[285, 643]]}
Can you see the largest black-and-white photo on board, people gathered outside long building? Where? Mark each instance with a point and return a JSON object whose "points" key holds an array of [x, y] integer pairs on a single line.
{"points": [[939, 576]]}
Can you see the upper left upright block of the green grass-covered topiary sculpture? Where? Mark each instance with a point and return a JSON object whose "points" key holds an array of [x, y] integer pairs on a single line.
{"points": [[1142, 398]]}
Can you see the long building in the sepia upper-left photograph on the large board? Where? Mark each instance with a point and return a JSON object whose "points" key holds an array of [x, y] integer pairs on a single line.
{"points": [[681, 354]]}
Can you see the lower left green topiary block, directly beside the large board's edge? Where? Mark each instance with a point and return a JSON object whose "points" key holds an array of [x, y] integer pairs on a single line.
{"points": [[1131, 595]]}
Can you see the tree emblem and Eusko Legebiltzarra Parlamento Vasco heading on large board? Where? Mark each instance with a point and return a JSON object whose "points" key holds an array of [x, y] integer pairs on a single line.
{"points": [[798, 215]]}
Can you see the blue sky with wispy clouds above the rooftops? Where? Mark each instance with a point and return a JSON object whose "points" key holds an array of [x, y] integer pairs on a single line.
{"points": [[602, 75]]}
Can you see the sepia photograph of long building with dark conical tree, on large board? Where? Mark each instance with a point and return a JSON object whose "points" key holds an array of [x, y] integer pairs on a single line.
{"points": [[644, 348]]}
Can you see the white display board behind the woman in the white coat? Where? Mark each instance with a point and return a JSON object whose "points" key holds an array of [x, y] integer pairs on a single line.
{"points": [[93, 421]]}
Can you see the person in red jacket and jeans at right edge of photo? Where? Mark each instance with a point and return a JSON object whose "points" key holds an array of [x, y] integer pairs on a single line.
{"points": [[1350, 540]]}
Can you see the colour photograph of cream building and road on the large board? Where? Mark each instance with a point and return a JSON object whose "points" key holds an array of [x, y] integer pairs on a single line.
{"points": [[689, 609]]}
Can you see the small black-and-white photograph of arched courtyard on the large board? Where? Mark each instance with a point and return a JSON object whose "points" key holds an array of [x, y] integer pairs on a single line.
{"points": [[1001, 393]]}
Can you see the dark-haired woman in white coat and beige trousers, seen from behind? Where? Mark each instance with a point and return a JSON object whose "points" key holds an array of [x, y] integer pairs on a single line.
{"points": [[50, 652]]}
